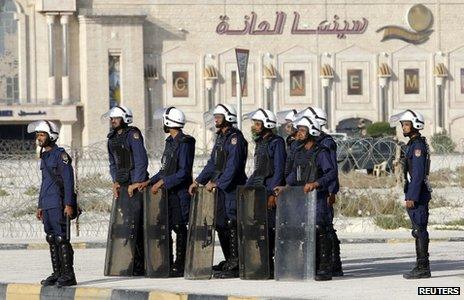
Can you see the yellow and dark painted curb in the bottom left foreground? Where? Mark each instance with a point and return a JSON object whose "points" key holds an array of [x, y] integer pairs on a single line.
{"points": [[36, 291]]}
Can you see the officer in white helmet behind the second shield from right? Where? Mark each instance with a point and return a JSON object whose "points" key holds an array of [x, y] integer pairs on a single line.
{"points": [[269, 166]]}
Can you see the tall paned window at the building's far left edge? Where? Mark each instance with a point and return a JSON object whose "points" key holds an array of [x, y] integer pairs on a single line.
{"points": [[9, 83]]}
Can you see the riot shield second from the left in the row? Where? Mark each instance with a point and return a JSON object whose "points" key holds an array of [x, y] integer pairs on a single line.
{"points": [[156, 234]]}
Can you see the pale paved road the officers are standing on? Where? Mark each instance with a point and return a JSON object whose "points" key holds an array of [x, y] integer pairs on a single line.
{"points": [[372, 271]]}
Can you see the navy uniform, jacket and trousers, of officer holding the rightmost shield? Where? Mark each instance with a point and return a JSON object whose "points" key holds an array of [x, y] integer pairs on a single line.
{"points": [[315, 165]]}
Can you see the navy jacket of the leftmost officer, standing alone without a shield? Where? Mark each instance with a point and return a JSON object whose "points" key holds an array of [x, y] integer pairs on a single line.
{"points": [[56, 192]]}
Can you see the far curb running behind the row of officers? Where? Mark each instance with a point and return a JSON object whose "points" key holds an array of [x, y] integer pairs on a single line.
{"points": [[99, 245]]}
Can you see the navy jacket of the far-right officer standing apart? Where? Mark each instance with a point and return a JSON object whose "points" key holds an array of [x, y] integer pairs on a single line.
{"points": [[416, 165]]}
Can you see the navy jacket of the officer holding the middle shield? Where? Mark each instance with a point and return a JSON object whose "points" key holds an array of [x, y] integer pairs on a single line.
{"points": [[226, 165]]}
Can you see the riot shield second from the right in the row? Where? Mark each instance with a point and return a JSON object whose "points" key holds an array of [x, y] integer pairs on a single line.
{"points": [[253, 232]]}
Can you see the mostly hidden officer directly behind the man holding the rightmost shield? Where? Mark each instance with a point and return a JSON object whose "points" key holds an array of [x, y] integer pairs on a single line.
{"points": [[328, 142]]}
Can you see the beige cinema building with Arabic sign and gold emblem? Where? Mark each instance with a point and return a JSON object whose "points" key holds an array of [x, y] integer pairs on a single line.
{"points": [[70, 60]]}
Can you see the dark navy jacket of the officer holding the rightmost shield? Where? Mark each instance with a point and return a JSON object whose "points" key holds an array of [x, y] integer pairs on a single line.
{"points": [[305, 161]]}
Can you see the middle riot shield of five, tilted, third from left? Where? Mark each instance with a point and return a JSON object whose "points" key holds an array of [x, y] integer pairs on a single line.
{"points": [[200, 240]]}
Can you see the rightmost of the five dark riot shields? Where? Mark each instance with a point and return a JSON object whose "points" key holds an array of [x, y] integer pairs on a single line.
{"points": [[295, 235]]}
